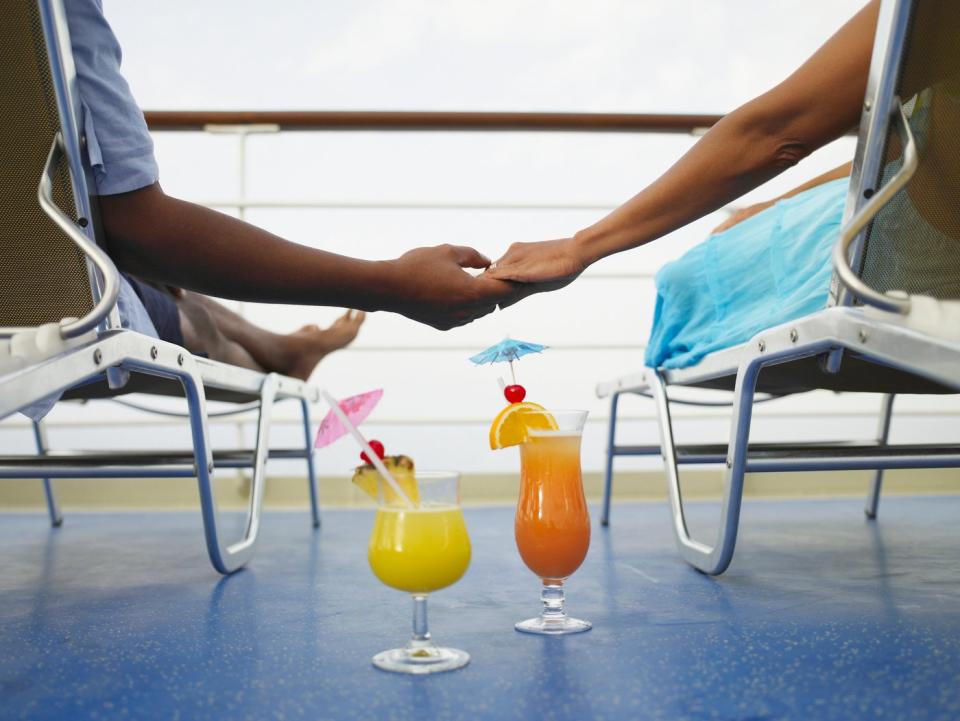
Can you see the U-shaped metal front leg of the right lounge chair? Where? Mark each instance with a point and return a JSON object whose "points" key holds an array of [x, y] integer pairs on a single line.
{"points": [[715, 559]]}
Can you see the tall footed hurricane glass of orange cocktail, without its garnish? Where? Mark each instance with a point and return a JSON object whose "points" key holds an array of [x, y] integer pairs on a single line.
{"points": [[552, 525]]}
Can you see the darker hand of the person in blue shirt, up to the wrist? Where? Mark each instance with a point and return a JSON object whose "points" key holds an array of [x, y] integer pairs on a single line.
{"points": [[431, 286]]}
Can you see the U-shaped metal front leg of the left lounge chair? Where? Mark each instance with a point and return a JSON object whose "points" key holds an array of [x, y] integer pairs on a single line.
{"points": [[227, 559]]}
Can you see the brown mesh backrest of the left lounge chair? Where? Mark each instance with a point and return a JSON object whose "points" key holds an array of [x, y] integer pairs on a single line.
{"points": [[44, 275]]}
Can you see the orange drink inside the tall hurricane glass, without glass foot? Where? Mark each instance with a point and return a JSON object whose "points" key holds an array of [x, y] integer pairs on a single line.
{"points": [[552, 525]]}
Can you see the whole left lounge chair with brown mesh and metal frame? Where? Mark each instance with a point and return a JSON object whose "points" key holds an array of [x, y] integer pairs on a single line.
{"points": [[60, 331]]}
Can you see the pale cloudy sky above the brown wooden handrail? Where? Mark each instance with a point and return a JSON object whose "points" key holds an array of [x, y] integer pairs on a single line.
{"points": [[601, 55]]}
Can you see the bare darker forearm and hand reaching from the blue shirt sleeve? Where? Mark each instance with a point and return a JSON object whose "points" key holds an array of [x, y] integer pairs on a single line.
{"points": [[161, 238]]}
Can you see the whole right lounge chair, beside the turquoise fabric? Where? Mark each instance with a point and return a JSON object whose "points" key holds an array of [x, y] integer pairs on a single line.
{"points": [[892, 326]]}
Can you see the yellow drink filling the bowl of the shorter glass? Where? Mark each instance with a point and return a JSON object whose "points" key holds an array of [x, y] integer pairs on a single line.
{"points": [[419, 550]]}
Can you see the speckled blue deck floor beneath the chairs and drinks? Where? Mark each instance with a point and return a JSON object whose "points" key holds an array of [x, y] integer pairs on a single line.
{"points": [[821, 616]]}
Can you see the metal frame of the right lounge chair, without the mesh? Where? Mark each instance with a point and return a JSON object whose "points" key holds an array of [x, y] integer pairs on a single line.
{"points": [[842, 327]]}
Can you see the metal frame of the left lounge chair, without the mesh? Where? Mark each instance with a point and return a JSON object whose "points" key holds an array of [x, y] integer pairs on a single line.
{"points": [[116, 352]]}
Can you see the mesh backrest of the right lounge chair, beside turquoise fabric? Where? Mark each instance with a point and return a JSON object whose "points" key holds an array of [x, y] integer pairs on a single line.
{"points": [[913, 243]]}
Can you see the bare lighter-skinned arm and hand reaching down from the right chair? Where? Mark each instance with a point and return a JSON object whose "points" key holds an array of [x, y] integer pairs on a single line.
{"points": [[815, 105]]}
